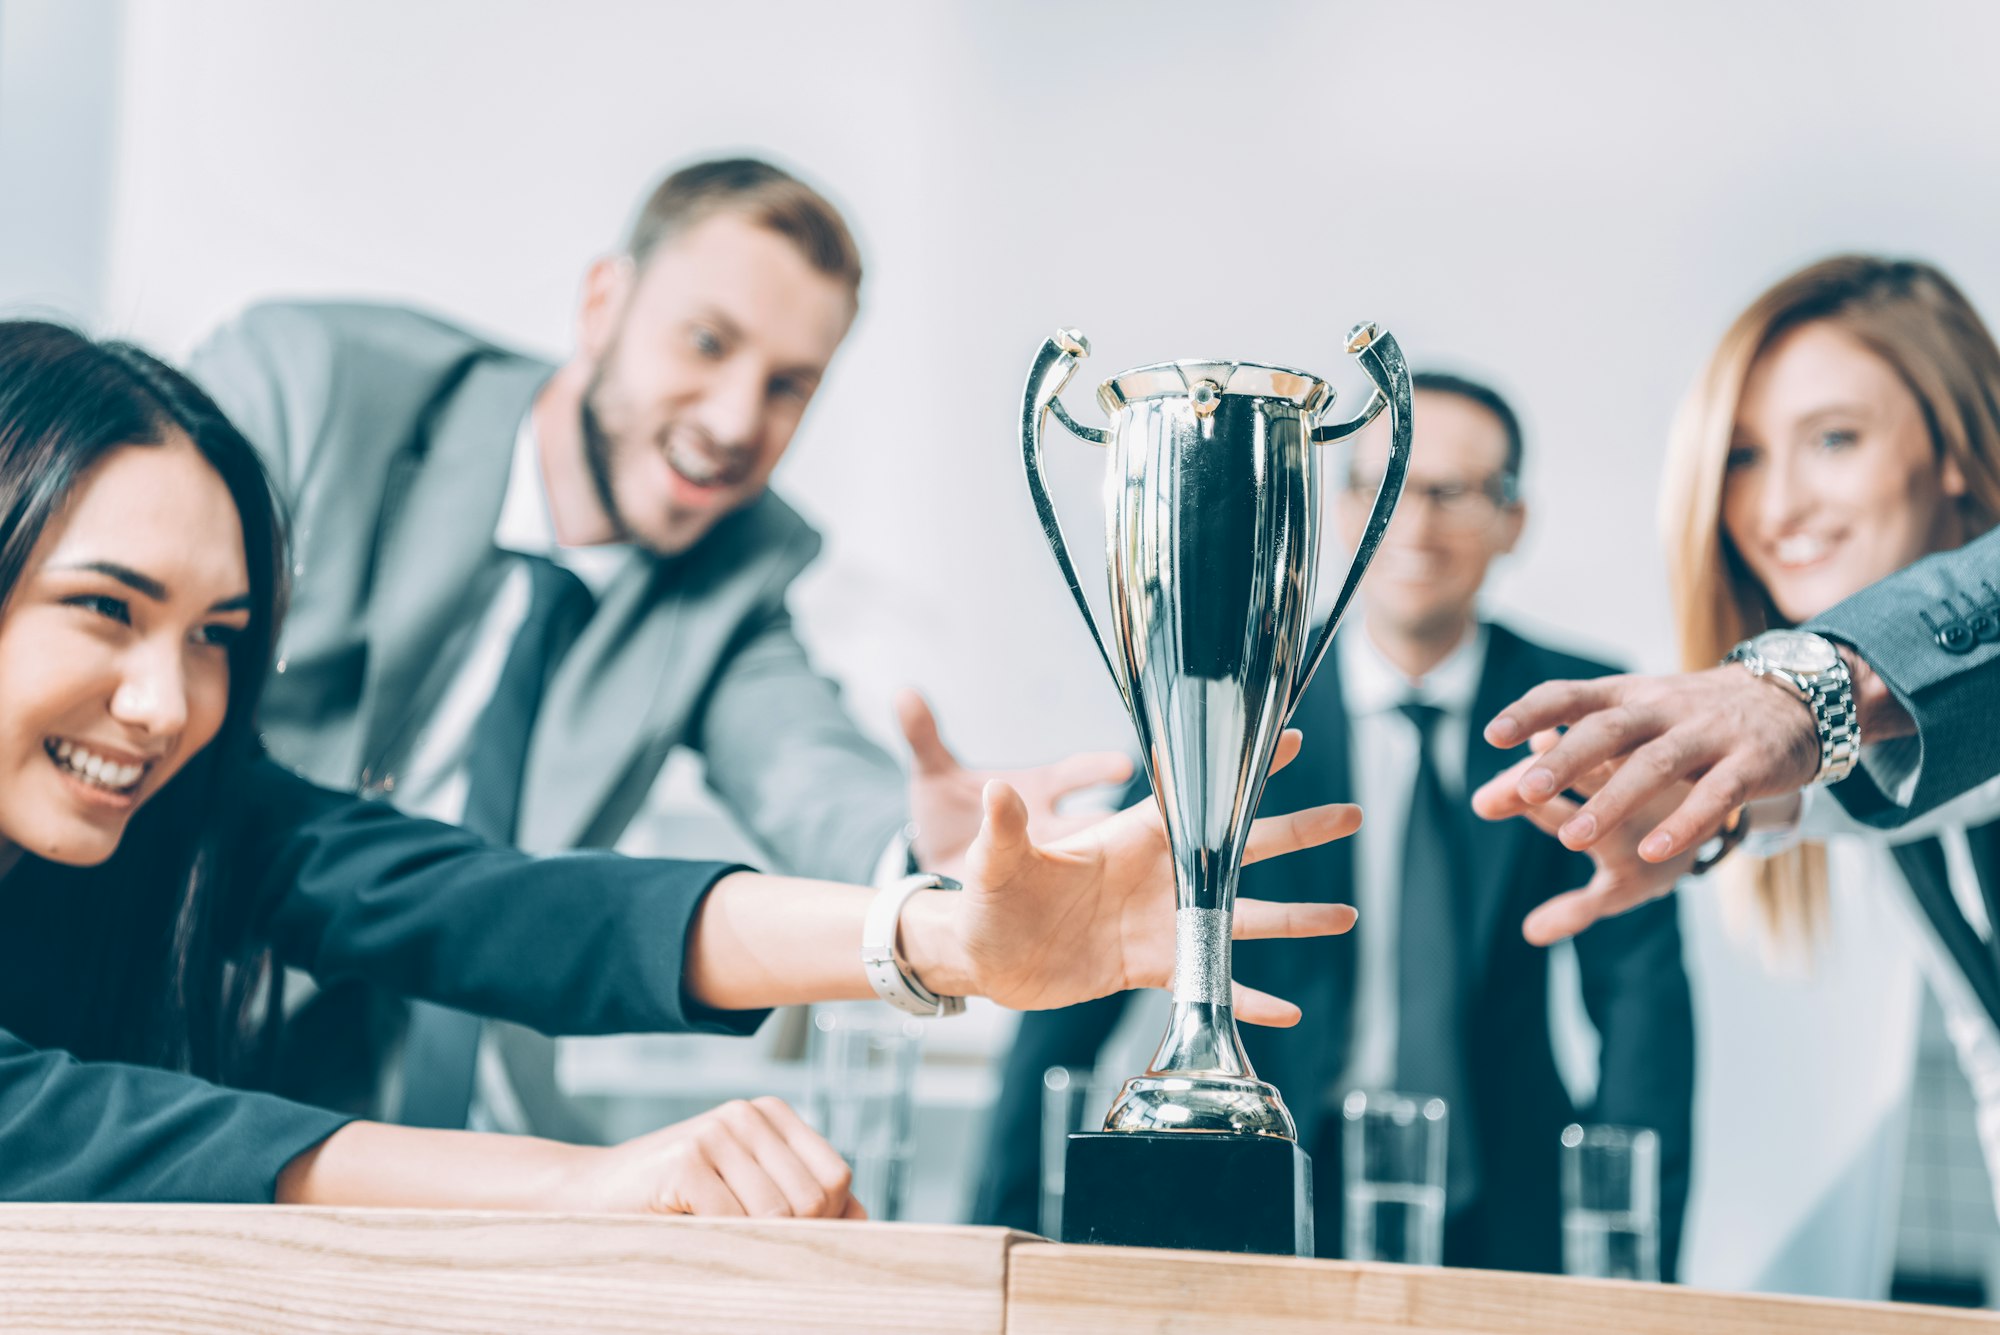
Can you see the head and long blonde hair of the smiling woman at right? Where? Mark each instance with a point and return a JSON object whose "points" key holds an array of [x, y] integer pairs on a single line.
{"points": [[1847, 427]]}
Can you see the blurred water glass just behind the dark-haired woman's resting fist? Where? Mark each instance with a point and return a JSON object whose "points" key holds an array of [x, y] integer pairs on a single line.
{"points": [[861, 1096]]}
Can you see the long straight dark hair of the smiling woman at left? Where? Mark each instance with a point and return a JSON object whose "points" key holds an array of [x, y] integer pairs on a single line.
{"points": [[171, 976]]}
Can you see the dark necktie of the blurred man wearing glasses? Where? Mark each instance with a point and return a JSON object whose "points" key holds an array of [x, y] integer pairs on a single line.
{"points": [[1429, 968]]}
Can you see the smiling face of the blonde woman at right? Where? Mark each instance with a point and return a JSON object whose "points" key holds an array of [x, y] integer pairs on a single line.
{"points": [[1833, 479]]}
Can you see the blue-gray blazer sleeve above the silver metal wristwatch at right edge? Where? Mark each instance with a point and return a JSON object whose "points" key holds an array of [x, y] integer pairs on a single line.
{"points": [[1933, 635]]}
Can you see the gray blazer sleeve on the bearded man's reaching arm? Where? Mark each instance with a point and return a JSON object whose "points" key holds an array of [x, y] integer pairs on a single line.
{"points": [[787, 758]]}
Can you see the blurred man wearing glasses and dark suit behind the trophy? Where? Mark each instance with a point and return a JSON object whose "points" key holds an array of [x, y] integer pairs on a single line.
{"points": [[1435, 992]]}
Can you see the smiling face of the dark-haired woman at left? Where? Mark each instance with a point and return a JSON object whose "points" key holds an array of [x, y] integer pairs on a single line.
{"points": [[115, 649]]}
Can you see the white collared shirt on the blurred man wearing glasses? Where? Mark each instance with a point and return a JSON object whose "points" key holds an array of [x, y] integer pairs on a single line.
{"points": [[1383, 744]]}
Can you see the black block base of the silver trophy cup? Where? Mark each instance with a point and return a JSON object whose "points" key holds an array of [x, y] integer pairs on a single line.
{"points": [[1199, 1190]]}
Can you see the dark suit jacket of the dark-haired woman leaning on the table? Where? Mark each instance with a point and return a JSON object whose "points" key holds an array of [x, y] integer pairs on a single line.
{"points": [[343, 888]]}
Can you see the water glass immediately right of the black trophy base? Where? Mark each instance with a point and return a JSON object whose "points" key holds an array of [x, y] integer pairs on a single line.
{"points": [[1393, 1204]]}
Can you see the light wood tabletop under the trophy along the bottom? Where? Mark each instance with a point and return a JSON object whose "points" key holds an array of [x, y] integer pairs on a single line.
{"points": [[269, 1270]]}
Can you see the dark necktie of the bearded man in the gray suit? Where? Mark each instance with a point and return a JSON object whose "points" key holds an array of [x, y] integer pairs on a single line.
{"points": [[441, 1050]]}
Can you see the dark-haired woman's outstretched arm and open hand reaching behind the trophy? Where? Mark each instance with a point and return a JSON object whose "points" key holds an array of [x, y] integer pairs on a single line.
{"points": [[605, 944]]}
